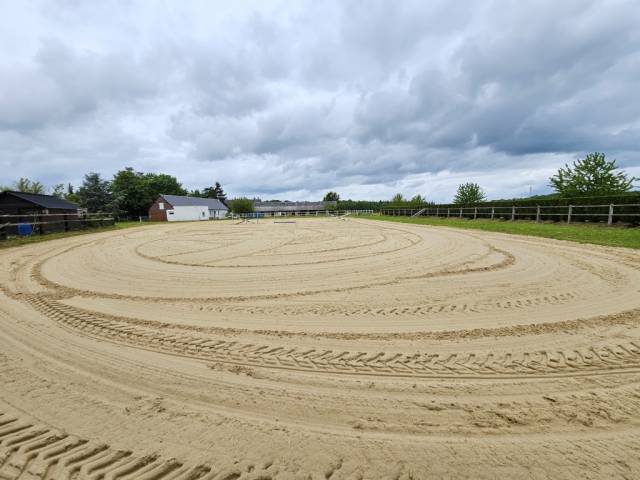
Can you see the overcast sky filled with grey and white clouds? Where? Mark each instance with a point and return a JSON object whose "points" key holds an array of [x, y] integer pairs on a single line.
{"points": [[290, 99]]}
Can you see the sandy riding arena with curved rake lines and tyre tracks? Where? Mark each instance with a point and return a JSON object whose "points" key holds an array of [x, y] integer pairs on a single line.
{"points": [[318, 349]]}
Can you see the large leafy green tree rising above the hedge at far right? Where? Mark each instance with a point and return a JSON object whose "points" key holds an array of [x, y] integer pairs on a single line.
{"points": [[593, 175]]}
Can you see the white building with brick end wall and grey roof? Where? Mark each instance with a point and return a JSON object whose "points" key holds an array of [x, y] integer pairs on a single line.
{"points": [[176, 208]]}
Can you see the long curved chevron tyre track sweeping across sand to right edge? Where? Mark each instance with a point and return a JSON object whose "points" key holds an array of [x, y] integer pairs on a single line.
{"points": [[619, 357]]}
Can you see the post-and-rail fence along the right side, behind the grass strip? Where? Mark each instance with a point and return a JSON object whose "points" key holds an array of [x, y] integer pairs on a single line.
{"points": [[612, 213]]}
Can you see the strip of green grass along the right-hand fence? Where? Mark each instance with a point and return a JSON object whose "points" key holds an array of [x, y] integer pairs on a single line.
{"points": [[595, 234]]}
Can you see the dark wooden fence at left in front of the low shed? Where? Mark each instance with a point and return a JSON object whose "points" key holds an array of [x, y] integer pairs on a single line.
{"points": [[44, 223]]}
